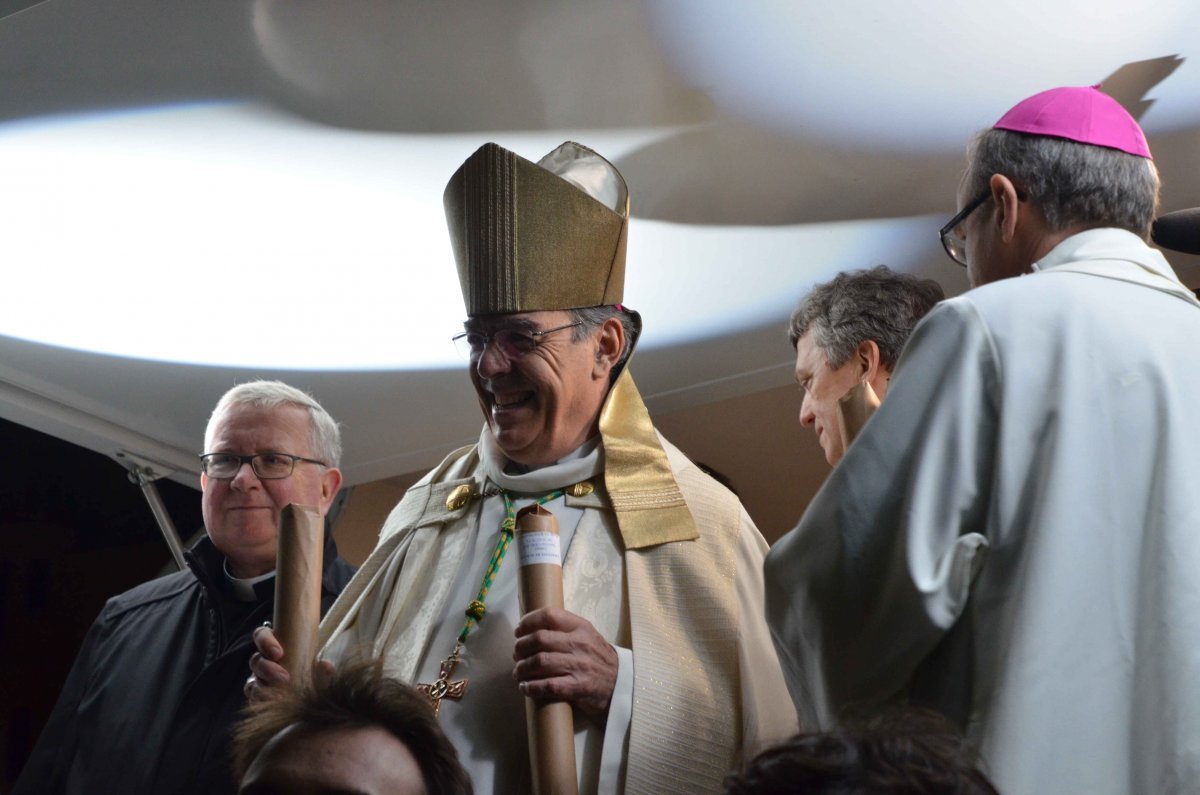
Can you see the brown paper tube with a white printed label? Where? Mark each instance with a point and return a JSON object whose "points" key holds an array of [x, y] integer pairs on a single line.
{"points": [[551, 725]]}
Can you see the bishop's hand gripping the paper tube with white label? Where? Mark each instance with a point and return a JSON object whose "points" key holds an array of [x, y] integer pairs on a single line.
{"points": [[561, 657]]}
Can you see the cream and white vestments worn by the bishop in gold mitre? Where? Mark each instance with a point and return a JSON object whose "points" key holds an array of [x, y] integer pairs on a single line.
{"points": [[435, 559]]}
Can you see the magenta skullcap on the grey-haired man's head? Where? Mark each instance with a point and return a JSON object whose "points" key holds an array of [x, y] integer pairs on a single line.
{"points": [[1081, 113]]}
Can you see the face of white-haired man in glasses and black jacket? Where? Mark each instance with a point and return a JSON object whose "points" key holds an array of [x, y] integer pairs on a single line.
{"points": [[242, 515]]}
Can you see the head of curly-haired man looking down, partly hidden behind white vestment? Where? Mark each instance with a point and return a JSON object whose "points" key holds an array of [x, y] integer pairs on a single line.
{"points": [[849, 333]]}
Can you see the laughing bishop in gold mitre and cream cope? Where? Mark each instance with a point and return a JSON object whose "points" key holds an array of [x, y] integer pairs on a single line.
{"points": [[663, 650]]}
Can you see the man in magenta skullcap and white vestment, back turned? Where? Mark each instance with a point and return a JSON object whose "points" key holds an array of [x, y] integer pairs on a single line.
{"points": [[1015, 537]]}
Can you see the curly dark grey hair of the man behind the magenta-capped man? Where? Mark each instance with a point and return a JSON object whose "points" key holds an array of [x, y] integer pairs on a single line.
{"points": [[861, 306]]}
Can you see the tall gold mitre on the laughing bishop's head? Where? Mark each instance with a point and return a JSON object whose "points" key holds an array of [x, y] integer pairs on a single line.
{"points": [[544, 236]]}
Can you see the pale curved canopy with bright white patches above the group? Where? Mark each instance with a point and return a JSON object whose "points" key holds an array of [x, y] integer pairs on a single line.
{"points": [[194, 198]]}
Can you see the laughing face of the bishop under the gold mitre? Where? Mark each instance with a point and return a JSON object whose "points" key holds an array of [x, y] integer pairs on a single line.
{"points": [[543, 405]]}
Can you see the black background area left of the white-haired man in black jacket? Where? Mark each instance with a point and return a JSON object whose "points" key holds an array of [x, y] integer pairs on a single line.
{"points": [[74, 533]]}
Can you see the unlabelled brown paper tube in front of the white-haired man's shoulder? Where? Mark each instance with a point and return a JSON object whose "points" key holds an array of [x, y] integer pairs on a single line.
{"points": [[298, 571]]}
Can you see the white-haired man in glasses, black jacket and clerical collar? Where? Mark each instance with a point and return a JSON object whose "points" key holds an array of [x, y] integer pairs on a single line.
{"points": [[158, 685]]}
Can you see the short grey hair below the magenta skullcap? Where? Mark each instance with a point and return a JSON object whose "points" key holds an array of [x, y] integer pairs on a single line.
{"points": [[1072, 184]]}
